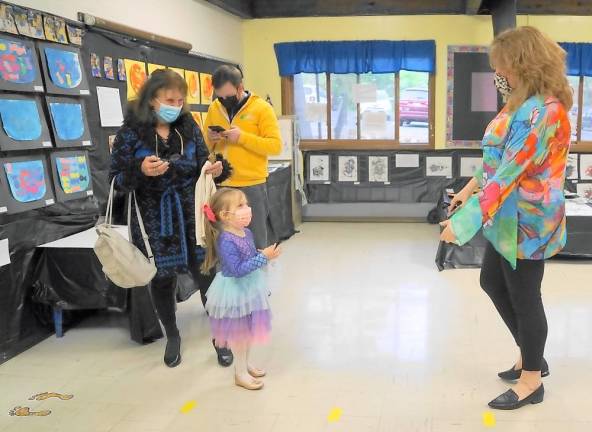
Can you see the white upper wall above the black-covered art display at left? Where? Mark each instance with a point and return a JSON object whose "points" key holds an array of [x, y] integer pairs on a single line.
{"points": [[209, 29]]}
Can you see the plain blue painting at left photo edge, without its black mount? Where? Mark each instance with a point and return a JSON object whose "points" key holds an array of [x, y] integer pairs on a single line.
{"points": [[20, 119]]}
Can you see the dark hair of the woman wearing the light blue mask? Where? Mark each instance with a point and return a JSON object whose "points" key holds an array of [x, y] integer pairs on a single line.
{"points": [[140, 114]]}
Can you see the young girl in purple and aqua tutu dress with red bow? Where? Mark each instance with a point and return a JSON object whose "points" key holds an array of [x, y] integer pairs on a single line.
{"points": [[237, 300]]}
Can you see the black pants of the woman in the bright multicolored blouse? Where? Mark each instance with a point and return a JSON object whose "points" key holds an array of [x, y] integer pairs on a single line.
{"points": [[516, 295]]}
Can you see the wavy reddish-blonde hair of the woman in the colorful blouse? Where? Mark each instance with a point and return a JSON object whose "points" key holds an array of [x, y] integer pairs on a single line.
{"points": [[536, 60]]}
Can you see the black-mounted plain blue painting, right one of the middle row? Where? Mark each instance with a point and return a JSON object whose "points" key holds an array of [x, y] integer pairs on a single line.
{"points": [[68, 121]]}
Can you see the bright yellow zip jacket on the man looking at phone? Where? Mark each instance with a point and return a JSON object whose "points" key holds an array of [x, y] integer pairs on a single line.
{"points": [[260, 137]]}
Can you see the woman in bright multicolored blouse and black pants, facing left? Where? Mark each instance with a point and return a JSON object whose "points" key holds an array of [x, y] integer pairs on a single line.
{"points": [[521, 206]]}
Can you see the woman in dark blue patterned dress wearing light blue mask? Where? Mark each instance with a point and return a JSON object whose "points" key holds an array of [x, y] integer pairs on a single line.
{"points": [[159, 153]]}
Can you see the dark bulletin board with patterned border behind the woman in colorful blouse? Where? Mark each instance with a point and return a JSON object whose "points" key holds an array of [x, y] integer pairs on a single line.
{"points": [[472, 100]]}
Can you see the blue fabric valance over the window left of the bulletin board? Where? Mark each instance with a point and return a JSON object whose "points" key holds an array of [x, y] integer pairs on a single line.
{"points": [[341, 57]]}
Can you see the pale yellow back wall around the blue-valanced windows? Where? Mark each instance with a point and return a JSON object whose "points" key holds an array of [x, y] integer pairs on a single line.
{"points": [[260, 65]]}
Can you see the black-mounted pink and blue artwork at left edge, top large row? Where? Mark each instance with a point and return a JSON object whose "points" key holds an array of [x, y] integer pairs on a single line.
{"points": [[19, 69]]}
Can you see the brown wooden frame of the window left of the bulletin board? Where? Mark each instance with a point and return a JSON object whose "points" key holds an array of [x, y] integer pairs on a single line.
{"points": [[288, 108]]}
